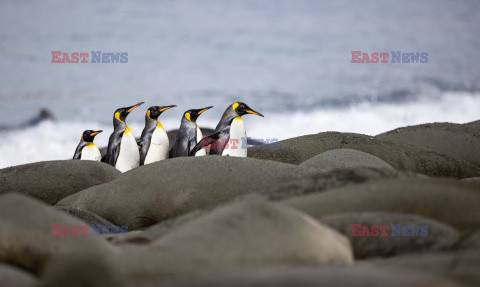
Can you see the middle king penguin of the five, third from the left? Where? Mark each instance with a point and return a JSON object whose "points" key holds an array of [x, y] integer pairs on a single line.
{"points": [[154, 142]]}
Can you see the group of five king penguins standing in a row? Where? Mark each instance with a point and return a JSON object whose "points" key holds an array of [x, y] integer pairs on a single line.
{"points": [[124, 152]]}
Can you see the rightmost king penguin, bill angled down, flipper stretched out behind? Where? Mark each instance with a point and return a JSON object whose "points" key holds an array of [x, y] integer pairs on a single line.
{"points": [[230, 137]]}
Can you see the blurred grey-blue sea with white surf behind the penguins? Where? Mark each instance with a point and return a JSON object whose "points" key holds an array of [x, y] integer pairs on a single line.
{"points": [[290, 60]]}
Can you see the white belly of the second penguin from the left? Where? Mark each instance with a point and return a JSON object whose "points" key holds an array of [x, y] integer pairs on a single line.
{"points": [[129, 156]]}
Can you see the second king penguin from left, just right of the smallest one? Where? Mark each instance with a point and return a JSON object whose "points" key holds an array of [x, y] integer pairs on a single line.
{"points": [[122, 151]]}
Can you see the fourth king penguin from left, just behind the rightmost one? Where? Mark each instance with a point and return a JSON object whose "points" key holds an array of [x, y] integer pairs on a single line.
{"points": [[188, 135]]}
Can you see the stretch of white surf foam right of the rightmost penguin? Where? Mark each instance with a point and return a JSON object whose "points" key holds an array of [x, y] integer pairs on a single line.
{"points": [[368, 118]]}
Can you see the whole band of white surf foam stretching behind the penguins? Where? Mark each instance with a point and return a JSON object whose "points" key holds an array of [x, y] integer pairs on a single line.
{"points": [[58, 140]]}
